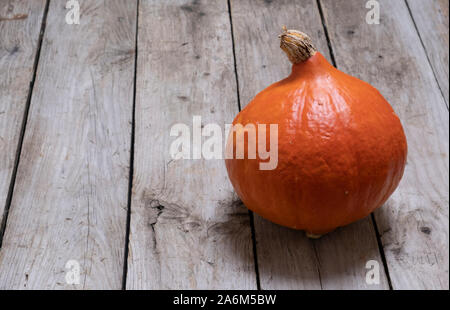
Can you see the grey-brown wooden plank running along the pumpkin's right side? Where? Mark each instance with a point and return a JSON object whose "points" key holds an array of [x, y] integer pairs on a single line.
{"points": [[414, 221]]}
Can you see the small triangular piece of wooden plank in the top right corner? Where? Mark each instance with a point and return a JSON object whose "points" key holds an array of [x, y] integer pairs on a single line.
{"points": [[431, 19]]}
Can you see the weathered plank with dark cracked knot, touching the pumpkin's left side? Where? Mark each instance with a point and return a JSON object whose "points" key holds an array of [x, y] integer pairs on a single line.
{"points": [[188, 229]]}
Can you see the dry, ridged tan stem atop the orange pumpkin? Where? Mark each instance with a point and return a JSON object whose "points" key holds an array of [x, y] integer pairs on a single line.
{"points": [[297, 45]]}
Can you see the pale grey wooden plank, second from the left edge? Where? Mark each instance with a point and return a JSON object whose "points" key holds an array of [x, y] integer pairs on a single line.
{"points": [[70, 198]]}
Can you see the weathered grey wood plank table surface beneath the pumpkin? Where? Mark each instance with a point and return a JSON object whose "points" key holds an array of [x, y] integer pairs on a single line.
{"points": [[87, 184]]}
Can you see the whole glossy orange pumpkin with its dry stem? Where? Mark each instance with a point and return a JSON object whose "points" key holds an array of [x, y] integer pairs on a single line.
{"points": [[341, 148]]}
